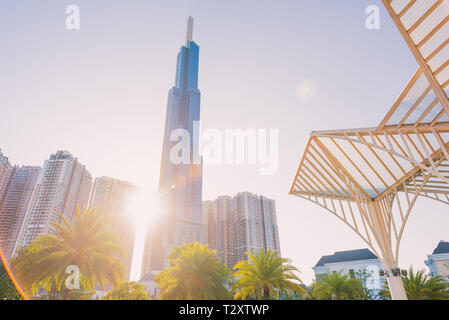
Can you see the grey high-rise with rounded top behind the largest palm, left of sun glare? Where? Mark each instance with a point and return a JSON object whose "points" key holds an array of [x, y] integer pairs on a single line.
{"points": [[63, 185]]}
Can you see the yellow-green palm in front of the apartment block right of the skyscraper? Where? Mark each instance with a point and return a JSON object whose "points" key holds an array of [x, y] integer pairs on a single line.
{"points": [[266, 276]]}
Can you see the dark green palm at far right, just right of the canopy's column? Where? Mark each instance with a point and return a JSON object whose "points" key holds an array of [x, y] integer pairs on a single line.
{"points": [[420, 286]]}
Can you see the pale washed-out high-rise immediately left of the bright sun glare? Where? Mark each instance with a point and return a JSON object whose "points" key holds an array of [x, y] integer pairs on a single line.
{"points": [[111, 197]]}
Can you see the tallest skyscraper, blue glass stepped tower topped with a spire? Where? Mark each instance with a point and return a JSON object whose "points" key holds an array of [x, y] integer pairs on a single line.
{"points": [[180, 185]]}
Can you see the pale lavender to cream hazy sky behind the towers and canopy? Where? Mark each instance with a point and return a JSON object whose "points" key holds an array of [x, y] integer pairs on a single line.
{"points": [[101, 93]]}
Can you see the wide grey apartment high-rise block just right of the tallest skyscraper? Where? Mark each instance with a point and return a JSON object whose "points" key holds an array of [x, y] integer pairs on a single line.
{"points": [[244, 223]]}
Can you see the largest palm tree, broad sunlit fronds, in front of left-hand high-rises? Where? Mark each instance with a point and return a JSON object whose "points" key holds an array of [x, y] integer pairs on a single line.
{"points": [[86, 244]]}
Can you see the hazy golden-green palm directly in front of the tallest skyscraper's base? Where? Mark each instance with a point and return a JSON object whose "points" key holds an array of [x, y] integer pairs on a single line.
{"points": [[194, 273]]}
